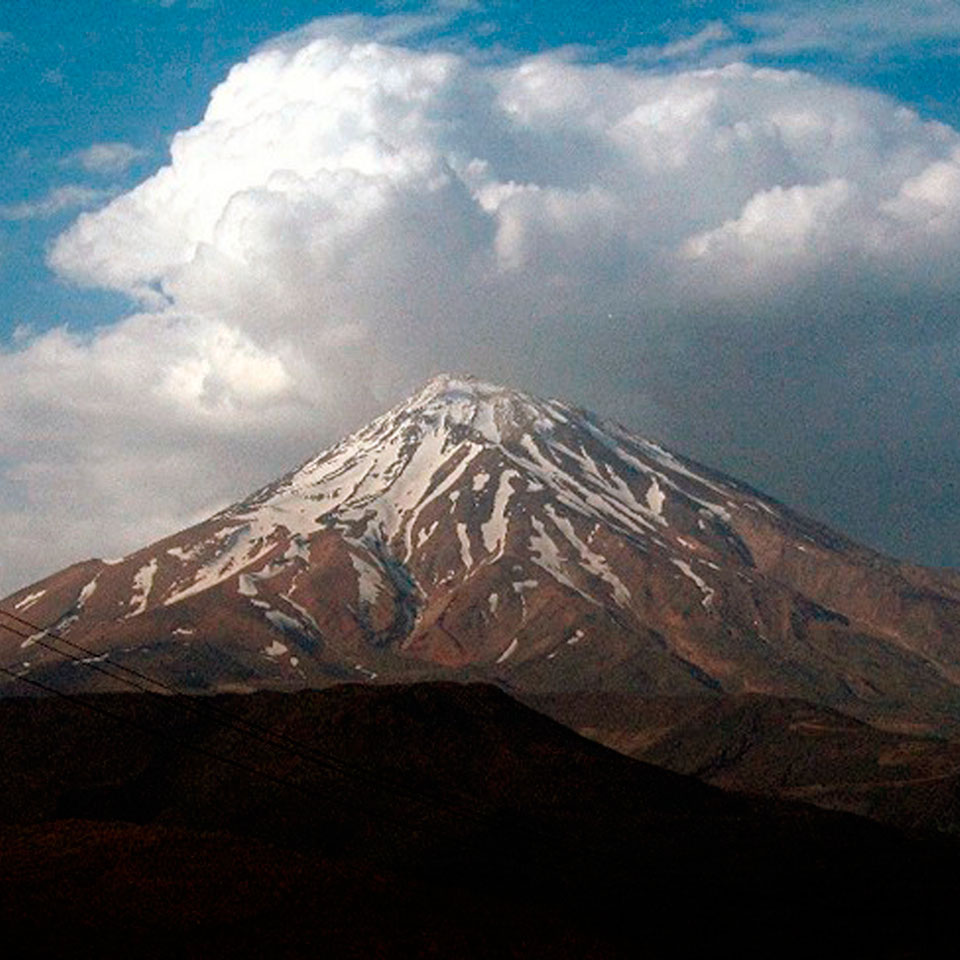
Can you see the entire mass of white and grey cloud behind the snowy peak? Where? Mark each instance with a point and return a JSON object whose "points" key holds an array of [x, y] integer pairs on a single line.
{"points": [[351, 216]]}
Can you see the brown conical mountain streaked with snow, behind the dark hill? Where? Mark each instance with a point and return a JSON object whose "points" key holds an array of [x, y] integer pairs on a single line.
{"points": [[474, 532]]}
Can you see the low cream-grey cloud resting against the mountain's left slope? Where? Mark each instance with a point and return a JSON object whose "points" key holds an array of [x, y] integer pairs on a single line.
{"points": [[112, 439]]}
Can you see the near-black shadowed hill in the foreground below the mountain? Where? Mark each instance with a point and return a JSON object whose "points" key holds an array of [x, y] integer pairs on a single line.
{"points": [[427, 820]]}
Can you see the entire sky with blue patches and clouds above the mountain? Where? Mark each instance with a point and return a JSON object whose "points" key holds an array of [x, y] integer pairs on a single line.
{"points": [[232, 231]]}
